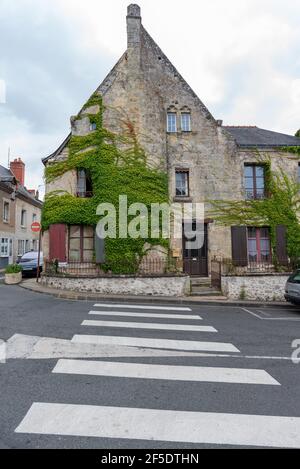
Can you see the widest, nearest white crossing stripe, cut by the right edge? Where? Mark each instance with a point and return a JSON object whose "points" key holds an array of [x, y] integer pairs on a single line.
{"points": [[161, 425]]}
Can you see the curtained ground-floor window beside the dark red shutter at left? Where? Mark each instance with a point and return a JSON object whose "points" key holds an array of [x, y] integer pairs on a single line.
{"points": [[81, 243]]}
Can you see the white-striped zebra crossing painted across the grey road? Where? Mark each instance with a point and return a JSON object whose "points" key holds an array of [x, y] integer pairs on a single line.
{"points": [[160, 425]]}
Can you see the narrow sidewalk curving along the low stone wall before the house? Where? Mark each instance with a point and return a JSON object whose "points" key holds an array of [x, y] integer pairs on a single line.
{"points": [[32, 285]]}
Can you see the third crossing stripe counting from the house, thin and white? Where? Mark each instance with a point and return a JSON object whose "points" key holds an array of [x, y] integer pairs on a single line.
{"points": [[140, 325]]}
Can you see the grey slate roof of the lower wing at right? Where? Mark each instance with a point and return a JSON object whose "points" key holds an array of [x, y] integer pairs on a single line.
{"points": [[255, 137]]}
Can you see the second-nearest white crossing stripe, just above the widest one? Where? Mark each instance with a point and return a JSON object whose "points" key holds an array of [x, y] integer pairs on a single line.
{"points": [[175, 373]]}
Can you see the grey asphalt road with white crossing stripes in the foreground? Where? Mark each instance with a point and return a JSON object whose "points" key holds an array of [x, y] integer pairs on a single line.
{"points": [[237, 375]]}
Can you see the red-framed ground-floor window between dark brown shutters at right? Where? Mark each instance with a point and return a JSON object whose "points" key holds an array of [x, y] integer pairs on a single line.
{"points": [[259, 245]]}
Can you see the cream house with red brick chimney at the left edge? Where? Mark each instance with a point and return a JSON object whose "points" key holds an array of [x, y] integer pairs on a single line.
{"points": [[19, 208]]}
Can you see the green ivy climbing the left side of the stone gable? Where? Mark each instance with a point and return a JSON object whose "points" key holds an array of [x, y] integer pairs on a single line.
{"points": [[117, 166]]}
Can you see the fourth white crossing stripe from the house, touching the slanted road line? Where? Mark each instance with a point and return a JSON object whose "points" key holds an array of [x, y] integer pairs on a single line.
{"points": [[156, 343]]}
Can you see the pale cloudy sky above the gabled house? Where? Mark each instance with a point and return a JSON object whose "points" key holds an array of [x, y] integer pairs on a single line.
{"points": [[242, 58]]}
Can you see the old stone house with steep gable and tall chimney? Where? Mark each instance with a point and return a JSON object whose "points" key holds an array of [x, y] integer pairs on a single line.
{"points": [[202, 159]]}
